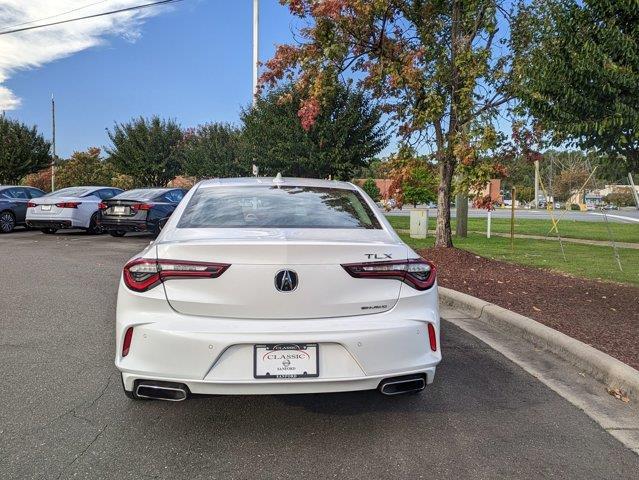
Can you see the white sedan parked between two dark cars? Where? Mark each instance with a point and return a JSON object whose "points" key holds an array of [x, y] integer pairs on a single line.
{"points": [[72, 207]]}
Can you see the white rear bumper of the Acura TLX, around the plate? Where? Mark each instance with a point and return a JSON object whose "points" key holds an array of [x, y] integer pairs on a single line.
{"points": [[216, 356]]}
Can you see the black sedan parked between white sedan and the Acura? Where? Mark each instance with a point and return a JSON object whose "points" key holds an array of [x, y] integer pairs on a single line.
{"points": [[140, 210]]}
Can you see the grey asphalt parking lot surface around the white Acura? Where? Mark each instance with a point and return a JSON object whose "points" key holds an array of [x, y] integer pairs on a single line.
{"points": [[63, 413]]}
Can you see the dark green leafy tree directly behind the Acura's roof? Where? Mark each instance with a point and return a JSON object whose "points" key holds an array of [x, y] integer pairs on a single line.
{"points": [[344, 137]]}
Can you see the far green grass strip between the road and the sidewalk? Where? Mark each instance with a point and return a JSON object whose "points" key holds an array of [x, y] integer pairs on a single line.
{"points": [[567, 228]]}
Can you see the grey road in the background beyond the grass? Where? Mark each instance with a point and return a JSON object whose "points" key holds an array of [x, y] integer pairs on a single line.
{"points": [[630, 216]]}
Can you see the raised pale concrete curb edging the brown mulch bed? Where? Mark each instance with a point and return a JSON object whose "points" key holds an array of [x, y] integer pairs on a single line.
{"points": [[601, 366]]}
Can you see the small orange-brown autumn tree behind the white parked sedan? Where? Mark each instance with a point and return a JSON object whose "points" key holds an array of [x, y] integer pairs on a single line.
{"points": [[84, 168]]}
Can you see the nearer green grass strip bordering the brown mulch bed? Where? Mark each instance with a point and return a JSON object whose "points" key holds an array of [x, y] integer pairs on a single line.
{"points": [[581, 260]]}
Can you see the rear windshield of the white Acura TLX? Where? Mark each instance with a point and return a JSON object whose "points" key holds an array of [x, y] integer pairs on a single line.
{"points": [[277, 207]]}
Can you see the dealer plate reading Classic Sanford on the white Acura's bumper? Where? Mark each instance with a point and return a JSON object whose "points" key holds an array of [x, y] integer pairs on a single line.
{"points": [[286, 360]]}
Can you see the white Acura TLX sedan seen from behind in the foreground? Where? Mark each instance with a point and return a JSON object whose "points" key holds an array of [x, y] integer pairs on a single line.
{"points": [[276, 286]]}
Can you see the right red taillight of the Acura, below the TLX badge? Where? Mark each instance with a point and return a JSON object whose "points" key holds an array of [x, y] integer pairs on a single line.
{"points": [[418, 273]]}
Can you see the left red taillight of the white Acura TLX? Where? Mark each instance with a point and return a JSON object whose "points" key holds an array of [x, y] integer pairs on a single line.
{"points": [[143, 274]]}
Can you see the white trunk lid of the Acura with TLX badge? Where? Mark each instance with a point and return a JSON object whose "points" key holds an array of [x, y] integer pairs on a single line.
{"points": [[251, 288]]}
